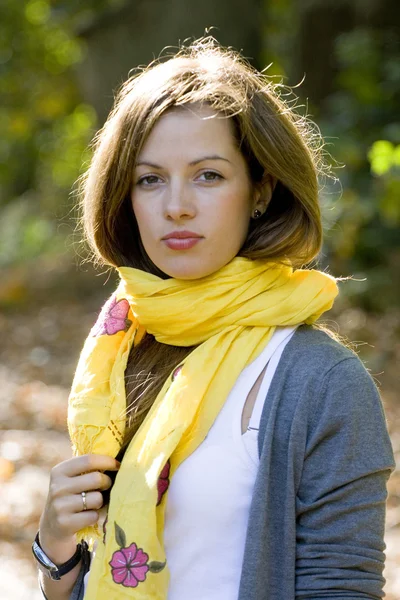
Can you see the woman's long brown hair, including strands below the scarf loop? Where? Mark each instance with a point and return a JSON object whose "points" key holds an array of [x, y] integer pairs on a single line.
{"points": [[273, 138]]}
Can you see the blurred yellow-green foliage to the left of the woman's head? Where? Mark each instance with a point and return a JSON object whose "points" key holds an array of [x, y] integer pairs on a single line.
{"points": [[45, 127]]}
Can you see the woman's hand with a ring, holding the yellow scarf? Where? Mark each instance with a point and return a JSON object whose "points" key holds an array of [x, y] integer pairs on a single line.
{"points": [[63, 514]]}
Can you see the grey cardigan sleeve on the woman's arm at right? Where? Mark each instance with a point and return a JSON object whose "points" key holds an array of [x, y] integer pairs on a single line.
{"points": [[341, 496]]}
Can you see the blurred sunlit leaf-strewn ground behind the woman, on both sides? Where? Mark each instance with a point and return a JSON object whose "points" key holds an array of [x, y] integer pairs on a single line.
{"points": [[39, 350]]}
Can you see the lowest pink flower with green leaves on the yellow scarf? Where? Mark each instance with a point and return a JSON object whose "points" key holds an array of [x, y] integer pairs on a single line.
{"points": [[129, 565]]}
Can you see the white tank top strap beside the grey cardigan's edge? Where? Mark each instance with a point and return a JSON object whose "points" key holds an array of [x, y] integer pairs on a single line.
{"points": [[274, 353]]}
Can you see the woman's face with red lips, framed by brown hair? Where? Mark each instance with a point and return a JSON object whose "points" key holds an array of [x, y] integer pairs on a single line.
{"points": [[192, 195]]}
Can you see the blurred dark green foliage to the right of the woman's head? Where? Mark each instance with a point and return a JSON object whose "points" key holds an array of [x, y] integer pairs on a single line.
{"points": [[362, 117]]}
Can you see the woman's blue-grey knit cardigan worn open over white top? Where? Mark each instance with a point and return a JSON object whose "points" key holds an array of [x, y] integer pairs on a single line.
{"points": [[317, 516]]}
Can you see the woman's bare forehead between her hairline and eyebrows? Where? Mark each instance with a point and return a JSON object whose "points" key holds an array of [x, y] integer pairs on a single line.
{"points": [[190, 130]]}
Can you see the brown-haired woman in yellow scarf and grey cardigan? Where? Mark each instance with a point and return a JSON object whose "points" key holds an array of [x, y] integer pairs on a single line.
{"points": [[252, 446]]}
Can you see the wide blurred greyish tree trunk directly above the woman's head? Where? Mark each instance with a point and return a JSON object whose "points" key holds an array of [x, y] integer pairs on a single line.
{"points": [[118, 41]]}
